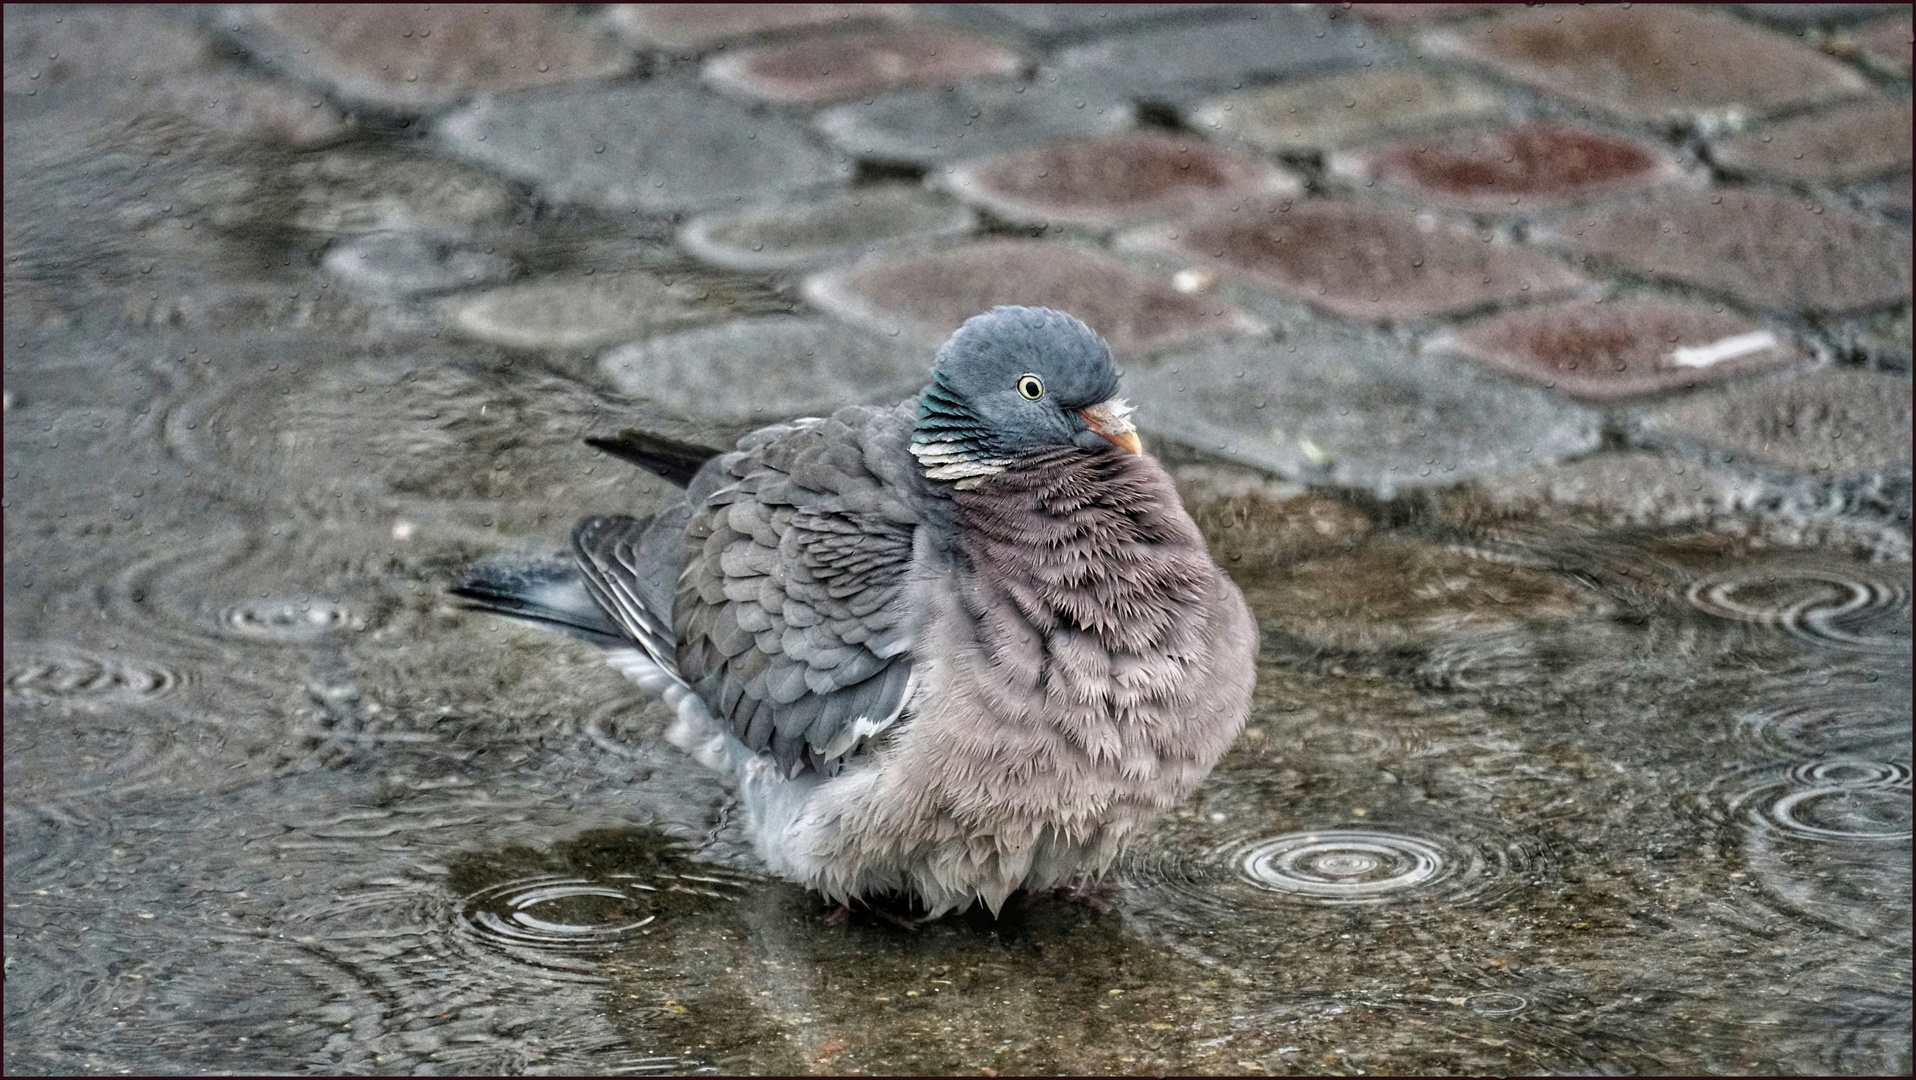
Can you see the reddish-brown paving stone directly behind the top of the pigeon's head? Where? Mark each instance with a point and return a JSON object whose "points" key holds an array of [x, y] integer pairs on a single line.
{"points": [[930, 296]]}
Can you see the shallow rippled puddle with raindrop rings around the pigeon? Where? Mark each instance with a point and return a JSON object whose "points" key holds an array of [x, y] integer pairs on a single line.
{"points": [[1522, 792]]}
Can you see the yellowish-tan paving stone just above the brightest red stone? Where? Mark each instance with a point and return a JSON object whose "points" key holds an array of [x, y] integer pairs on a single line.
{"points": [[1340, 110]]}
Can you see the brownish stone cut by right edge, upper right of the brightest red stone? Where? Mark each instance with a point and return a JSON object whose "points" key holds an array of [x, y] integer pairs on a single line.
{"points": [[1842, 146]]}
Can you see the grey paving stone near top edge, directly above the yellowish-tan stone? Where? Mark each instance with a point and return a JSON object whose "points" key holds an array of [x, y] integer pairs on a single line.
{"points": [[1181, 64]]}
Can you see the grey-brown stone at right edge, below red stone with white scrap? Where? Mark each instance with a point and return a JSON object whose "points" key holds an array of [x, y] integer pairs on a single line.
{"points": [[1829, 420]]}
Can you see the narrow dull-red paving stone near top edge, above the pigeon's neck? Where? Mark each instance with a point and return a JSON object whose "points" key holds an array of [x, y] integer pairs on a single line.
{"points": [[844, 66]]}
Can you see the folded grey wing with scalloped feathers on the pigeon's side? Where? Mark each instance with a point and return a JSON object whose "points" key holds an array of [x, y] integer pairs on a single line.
{"points": [[790, 610]]}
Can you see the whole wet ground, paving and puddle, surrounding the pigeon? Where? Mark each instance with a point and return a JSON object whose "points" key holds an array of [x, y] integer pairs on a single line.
{"points": [[1543, 376]]}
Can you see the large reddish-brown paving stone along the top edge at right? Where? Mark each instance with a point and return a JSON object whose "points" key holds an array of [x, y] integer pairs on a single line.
{"points": [[1653, 64]]}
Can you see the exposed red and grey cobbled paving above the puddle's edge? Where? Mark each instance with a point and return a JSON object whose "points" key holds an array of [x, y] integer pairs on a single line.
{"points": [[1495, 231]]}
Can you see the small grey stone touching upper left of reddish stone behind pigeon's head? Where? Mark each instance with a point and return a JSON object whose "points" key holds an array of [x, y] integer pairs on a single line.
{"points": [[842, 229]]}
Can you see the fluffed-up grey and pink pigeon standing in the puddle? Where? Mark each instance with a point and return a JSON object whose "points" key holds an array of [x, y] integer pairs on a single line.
{"points": [[949, 650]]}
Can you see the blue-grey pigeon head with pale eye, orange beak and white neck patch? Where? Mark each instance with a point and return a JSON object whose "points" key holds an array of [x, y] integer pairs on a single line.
{"points": [[1018, 380]]}
